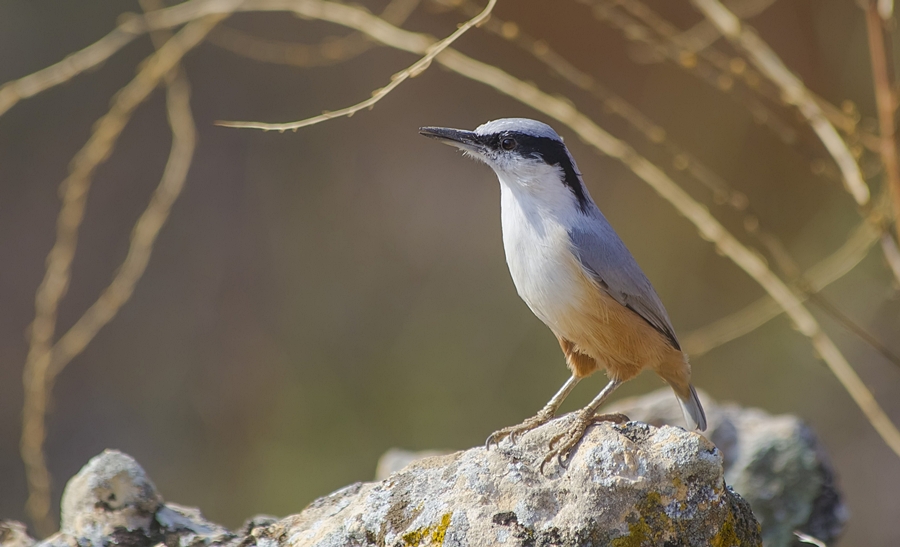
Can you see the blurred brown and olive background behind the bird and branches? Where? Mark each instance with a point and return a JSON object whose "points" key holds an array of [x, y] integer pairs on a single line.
{"points": [[319, 297]]}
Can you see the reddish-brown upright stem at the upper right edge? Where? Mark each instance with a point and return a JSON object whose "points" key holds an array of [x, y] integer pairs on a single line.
{"points": [[886, 102]]}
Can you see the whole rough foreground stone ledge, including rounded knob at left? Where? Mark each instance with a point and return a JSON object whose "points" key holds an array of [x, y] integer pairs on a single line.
{"points": [[628, 485]]}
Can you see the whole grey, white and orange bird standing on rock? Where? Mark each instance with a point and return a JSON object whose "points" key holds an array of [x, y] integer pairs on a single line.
{"points": [[575, 274]]}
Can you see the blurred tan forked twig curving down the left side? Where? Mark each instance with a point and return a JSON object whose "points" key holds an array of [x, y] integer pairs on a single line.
{"points": [[41, 366]]}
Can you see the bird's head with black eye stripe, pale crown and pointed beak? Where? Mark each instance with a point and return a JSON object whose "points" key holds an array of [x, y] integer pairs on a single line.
{"points": [[525, 154]]}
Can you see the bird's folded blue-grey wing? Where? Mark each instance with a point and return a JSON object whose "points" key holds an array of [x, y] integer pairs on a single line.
{"points": [[602, 253]]}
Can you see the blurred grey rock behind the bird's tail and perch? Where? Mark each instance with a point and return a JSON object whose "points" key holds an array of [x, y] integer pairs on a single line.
{"points": [[774, 462]]}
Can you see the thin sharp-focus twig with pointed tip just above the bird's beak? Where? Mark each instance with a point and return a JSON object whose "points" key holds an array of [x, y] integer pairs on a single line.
{"points": [[413, 70]]}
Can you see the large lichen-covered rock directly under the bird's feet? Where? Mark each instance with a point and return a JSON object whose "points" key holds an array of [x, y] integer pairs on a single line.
{"points": [[630, 485]]}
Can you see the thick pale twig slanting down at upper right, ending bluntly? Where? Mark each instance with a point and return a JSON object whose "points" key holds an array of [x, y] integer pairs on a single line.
{"points": [[792, 89]]}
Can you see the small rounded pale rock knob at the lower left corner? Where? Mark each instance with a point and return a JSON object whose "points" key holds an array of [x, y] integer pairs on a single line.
{"points": [[110, 493]]}
